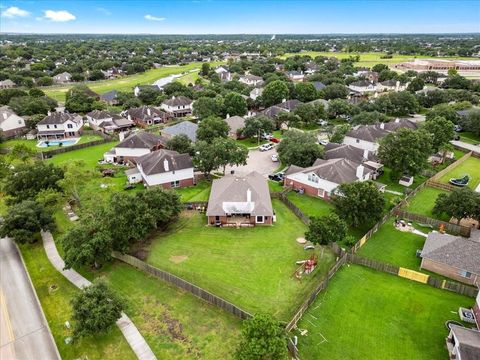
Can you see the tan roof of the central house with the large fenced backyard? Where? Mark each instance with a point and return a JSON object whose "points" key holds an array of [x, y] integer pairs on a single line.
{"points": [[240, 195]]}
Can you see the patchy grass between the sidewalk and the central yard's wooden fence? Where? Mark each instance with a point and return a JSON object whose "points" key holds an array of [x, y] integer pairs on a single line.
{"points": [[175, 324]]}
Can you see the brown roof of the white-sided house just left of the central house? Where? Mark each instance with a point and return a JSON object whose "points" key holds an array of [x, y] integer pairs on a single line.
{"points": [[162, 161]]}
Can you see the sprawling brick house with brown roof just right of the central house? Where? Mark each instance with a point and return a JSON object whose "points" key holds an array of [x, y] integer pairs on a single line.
{"points": [[324, 176]]}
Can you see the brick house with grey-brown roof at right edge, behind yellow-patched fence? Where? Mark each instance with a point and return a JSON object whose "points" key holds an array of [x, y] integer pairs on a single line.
{"points": [[452, 256]]}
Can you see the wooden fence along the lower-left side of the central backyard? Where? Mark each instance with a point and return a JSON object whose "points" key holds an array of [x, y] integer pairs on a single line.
{"points": [[183, 284]]}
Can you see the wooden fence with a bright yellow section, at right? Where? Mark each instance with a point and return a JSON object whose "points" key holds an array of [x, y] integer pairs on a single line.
{"points": [[413, 275]]}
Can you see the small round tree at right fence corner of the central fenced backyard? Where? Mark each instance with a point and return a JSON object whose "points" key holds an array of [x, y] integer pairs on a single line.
{"points": [[326, 229]]}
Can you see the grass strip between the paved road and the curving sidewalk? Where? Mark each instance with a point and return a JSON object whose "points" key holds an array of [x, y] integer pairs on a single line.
{"points": [[57, 309]]}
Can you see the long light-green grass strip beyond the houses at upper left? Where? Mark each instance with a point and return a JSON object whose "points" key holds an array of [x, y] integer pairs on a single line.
{"points": [[126, 83]]}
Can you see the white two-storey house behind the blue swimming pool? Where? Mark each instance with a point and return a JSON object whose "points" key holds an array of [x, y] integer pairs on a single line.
{"points": [[59, 126]]}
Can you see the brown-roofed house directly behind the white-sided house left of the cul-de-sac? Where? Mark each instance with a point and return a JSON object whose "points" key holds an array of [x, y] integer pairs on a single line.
{"points": [[134, 146]]}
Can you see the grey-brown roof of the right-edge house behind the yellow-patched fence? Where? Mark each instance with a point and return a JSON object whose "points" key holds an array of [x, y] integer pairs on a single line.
{"points": [[454, 251]]}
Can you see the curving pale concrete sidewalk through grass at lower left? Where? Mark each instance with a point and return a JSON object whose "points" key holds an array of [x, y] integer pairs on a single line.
{"points": [[128, 328]]}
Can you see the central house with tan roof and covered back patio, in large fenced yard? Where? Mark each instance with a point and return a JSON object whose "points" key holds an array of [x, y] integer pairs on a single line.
{"points": [[240, 201]]}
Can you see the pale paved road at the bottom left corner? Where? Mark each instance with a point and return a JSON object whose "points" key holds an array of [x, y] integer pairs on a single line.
{"points": [[24, 333]]}
